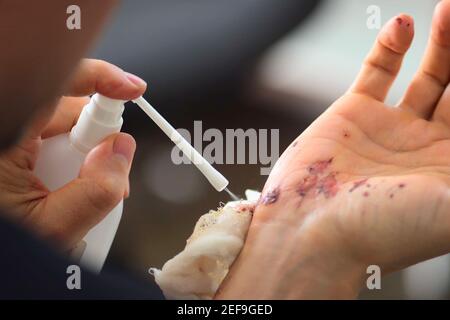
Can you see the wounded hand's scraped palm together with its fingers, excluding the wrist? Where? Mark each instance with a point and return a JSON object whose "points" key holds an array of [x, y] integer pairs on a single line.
{"points": [[368, 180]]}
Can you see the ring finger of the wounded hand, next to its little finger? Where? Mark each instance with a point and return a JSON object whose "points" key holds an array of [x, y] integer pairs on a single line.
{"points": [[433, 75]]}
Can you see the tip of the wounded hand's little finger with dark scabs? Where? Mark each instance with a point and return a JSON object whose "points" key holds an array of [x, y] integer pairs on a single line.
{"points": [[398, 33]]}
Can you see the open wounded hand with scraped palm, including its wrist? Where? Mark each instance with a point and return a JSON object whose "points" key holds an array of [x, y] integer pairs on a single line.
{"points": [[365, 184]]}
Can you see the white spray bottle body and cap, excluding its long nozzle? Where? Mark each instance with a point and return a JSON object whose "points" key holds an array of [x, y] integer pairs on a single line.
{"points": [[60, 160]]}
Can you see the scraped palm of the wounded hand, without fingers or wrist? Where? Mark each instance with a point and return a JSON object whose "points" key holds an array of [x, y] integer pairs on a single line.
{"points": [[369, 180]]}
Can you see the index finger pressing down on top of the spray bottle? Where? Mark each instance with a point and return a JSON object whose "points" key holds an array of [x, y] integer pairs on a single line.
{"points": [[105, 78]]}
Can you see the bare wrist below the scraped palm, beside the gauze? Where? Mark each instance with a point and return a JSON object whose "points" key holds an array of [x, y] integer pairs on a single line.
{"points": [[275, 265]]}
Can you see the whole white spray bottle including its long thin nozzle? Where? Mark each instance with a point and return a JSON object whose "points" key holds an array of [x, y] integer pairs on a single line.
{"points": [[61, 157]]}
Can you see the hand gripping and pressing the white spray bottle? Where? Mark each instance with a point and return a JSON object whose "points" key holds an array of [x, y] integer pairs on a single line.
{"points": [[66, 215]]}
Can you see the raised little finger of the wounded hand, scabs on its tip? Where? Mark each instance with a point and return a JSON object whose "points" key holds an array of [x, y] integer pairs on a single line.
{"points": [[384, 60]]}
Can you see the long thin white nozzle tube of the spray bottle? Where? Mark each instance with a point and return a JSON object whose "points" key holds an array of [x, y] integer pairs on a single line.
{"points": [[217, 180]]}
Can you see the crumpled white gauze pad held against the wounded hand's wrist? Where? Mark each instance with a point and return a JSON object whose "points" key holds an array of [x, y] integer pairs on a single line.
{"points": [[218, 237]]}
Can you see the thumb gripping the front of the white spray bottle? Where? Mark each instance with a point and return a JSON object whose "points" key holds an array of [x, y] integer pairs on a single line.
{"points": [[103, 182]]}
